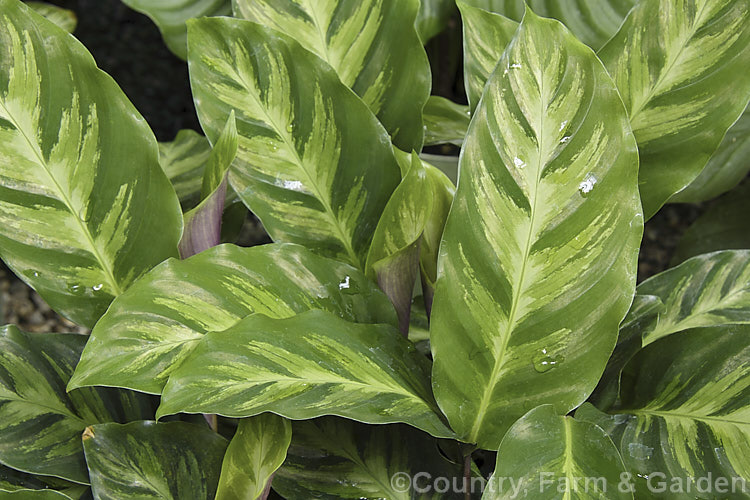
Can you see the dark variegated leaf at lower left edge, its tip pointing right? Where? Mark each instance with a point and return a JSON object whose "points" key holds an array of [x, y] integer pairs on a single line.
{"points": [[41, 425]]}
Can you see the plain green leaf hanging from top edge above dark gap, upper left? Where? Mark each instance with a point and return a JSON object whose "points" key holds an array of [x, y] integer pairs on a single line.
{"points": [[170, 16]]}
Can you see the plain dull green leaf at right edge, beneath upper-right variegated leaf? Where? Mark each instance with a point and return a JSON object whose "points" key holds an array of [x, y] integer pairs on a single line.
{"points": [[728, 166]]}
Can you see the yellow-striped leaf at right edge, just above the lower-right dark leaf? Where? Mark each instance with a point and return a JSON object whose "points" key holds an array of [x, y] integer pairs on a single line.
{"points": [[707, 290]]}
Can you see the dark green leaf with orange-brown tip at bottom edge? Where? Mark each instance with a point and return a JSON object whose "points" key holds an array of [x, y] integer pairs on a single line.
{"points": [[170, 461]]}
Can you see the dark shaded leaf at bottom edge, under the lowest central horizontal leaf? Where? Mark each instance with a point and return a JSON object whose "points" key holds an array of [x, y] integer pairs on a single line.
{"points": [[333, 458]]}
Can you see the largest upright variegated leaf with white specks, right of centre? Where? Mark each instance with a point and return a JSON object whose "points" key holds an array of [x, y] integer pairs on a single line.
{"points": [[538, 259]]}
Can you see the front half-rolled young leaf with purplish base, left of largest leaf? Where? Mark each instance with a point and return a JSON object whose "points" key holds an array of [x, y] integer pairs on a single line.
{"points": [[393, 260]]}
